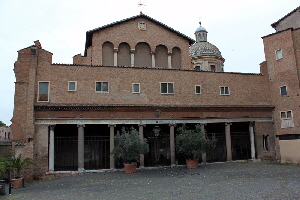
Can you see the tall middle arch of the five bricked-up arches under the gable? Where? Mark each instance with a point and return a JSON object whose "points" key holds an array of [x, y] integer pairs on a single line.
{"points": [[142, 55]]}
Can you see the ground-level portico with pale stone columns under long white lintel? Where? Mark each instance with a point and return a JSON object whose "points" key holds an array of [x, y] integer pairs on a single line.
{"points": [[160, 152]]}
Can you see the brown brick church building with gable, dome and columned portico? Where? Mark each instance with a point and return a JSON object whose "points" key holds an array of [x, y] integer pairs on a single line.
{"points": [[140, 73]]}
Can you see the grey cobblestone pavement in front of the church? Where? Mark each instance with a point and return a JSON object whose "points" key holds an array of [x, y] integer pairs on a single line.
{"points": [[210, 181]]}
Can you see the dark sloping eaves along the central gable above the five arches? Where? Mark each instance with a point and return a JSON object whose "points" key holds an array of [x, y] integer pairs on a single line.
{"points": [[89, 33]]}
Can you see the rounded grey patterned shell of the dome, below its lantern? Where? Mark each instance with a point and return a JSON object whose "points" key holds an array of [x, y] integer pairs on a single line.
{"points": [[205, 49]]}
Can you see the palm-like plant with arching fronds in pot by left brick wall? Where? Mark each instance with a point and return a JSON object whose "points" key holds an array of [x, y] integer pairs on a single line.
{"points": [[17, 164]]}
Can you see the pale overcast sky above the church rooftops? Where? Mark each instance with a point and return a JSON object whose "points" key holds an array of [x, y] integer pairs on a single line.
{"points": [[234, 26]]}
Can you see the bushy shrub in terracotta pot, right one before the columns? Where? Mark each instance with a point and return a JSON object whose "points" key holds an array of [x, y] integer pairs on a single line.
{"points": [[192, 143]]}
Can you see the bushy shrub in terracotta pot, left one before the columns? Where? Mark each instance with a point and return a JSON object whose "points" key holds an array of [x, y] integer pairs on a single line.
{"points": [[129, 146]]}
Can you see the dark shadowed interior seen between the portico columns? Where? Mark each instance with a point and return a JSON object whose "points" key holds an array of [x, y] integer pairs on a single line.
{"points": [[97, 145]]}
